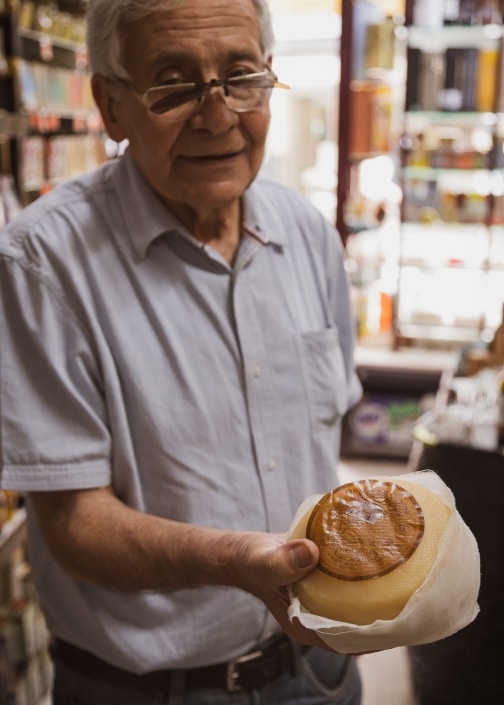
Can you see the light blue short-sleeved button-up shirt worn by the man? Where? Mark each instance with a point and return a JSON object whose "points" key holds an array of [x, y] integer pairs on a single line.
{"points": [[133, 355]]}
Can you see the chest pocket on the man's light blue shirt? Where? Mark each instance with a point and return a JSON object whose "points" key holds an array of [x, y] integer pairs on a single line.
{"points": [[325, 377]]}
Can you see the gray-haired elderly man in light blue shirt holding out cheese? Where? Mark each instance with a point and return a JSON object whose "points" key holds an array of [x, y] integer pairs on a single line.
{"points": [[176, 359]]}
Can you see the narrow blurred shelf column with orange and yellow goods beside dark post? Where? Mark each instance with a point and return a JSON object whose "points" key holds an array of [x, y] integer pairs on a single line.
{"points": [[373, 70]]}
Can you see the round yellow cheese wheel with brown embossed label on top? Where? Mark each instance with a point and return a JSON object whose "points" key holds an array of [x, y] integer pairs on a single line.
{"points": [[378, 539]]}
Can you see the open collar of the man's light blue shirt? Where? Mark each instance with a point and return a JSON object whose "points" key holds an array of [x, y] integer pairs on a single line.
{"points": [[147, 217]]}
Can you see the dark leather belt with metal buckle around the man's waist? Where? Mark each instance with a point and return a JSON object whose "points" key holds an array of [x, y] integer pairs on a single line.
{"points": [[251, 671]]}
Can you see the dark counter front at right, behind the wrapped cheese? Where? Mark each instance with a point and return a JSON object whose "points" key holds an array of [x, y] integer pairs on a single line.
{"points": [[466, 669]]}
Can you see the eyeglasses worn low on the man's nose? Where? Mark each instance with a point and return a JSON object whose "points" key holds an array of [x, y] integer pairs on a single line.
{"points": [[181, 101]]}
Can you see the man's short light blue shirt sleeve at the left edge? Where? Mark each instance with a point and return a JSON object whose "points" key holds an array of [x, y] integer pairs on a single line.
{"points": [[53, 422]]}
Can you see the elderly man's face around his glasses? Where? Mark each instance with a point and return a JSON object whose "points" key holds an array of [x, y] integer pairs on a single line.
{"points": [[207, 161]]}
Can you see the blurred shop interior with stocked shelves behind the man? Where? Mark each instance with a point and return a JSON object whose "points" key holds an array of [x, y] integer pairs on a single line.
{"points": [[393, 128]]}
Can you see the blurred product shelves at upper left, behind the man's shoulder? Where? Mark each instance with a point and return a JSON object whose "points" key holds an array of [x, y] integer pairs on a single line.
{"points": [[50, 129]]}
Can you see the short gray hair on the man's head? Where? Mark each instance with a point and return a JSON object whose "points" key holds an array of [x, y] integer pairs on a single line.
{"points": [[106, 19]]}
